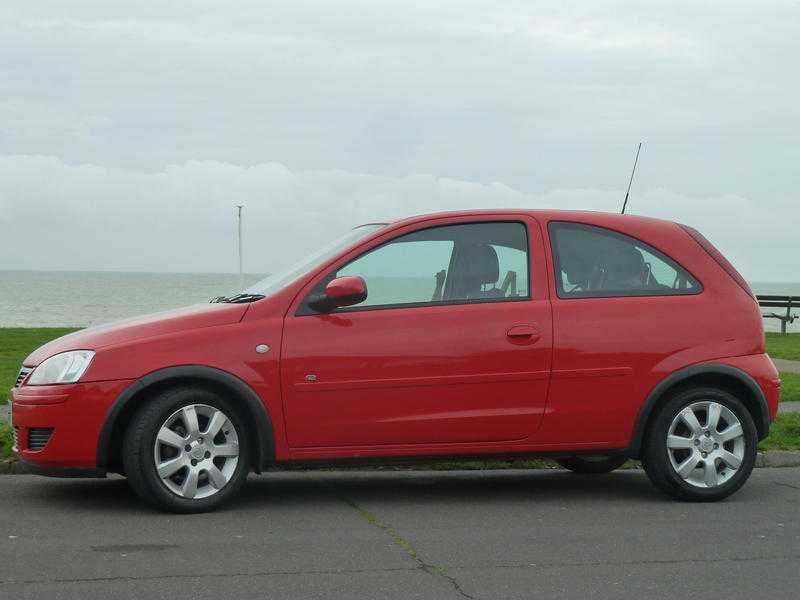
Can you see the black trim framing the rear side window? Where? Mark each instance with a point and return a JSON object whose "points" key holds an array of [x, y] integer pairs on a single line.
{"points": [[563, 295]]}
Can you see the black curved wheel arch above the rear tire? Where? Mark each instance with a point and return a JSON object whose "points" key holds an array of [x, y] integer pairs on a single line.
{"points": [[719, 375]]}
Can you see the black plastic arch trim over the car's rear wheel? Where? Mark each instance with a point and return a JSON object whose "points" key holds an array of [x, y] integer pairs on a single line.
{"points": [[658, 391]]}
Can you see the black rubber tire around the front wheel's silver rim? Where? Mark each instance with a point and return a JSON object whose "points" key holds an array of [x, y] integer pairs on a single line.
{"points": [[140, 439]]}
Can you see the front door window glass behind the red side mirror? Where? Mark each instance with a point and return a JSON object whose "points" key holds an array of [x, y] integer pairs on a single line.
{"points": [[473, 262]]}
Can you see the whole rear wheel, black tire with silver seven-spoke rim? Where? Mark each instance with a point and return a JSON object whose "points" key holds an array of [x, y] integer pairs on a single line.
{"points": [[702, 445]]}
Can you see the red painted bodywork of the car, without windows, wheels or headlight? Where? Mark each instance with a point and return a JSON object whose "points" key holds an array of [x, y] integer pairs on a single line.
{"points": [[428, 380]]}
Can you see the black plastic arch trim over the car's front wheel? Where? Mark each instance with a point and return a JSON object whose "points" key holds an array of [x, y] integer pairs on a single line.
{"points": [[265, 439]]}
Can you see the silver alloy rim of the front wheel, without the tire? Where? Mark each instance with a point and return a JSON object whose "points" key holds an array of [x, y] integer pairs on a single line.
{"points": [[196, 451]]}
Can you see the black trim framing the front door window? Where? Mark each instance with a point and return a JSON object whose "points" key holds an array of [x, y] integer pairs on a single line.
{"points": [[304, 310]]}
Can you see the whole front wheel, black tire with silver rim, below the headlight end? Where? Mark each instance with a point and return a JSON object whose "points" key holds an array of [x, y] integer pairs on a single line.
{"points": [[186, 450]]}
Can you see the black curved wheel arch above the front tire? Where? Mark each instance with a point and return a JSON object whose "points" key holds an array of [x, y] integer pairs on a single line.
{"points": [[109, 446]]}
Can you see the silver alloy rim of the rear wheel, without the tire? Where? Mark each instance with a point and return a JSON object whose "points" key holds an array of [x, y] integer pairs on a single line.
{"points": [[706, 444]]}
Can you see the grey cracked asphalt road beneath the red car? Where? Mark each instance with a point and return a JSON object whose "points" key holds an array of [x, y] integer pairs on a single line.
{"points": [[500, 534]]}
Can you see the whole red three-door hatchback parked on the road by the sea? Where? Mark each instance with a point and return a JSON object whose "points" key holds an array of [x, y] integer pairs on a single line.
{"points": [[587, 337]]}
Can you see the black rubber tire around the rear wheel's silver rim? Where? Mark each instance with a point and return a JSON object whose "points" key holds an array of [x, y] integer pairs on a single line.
{"points": [[656, 456]]}
